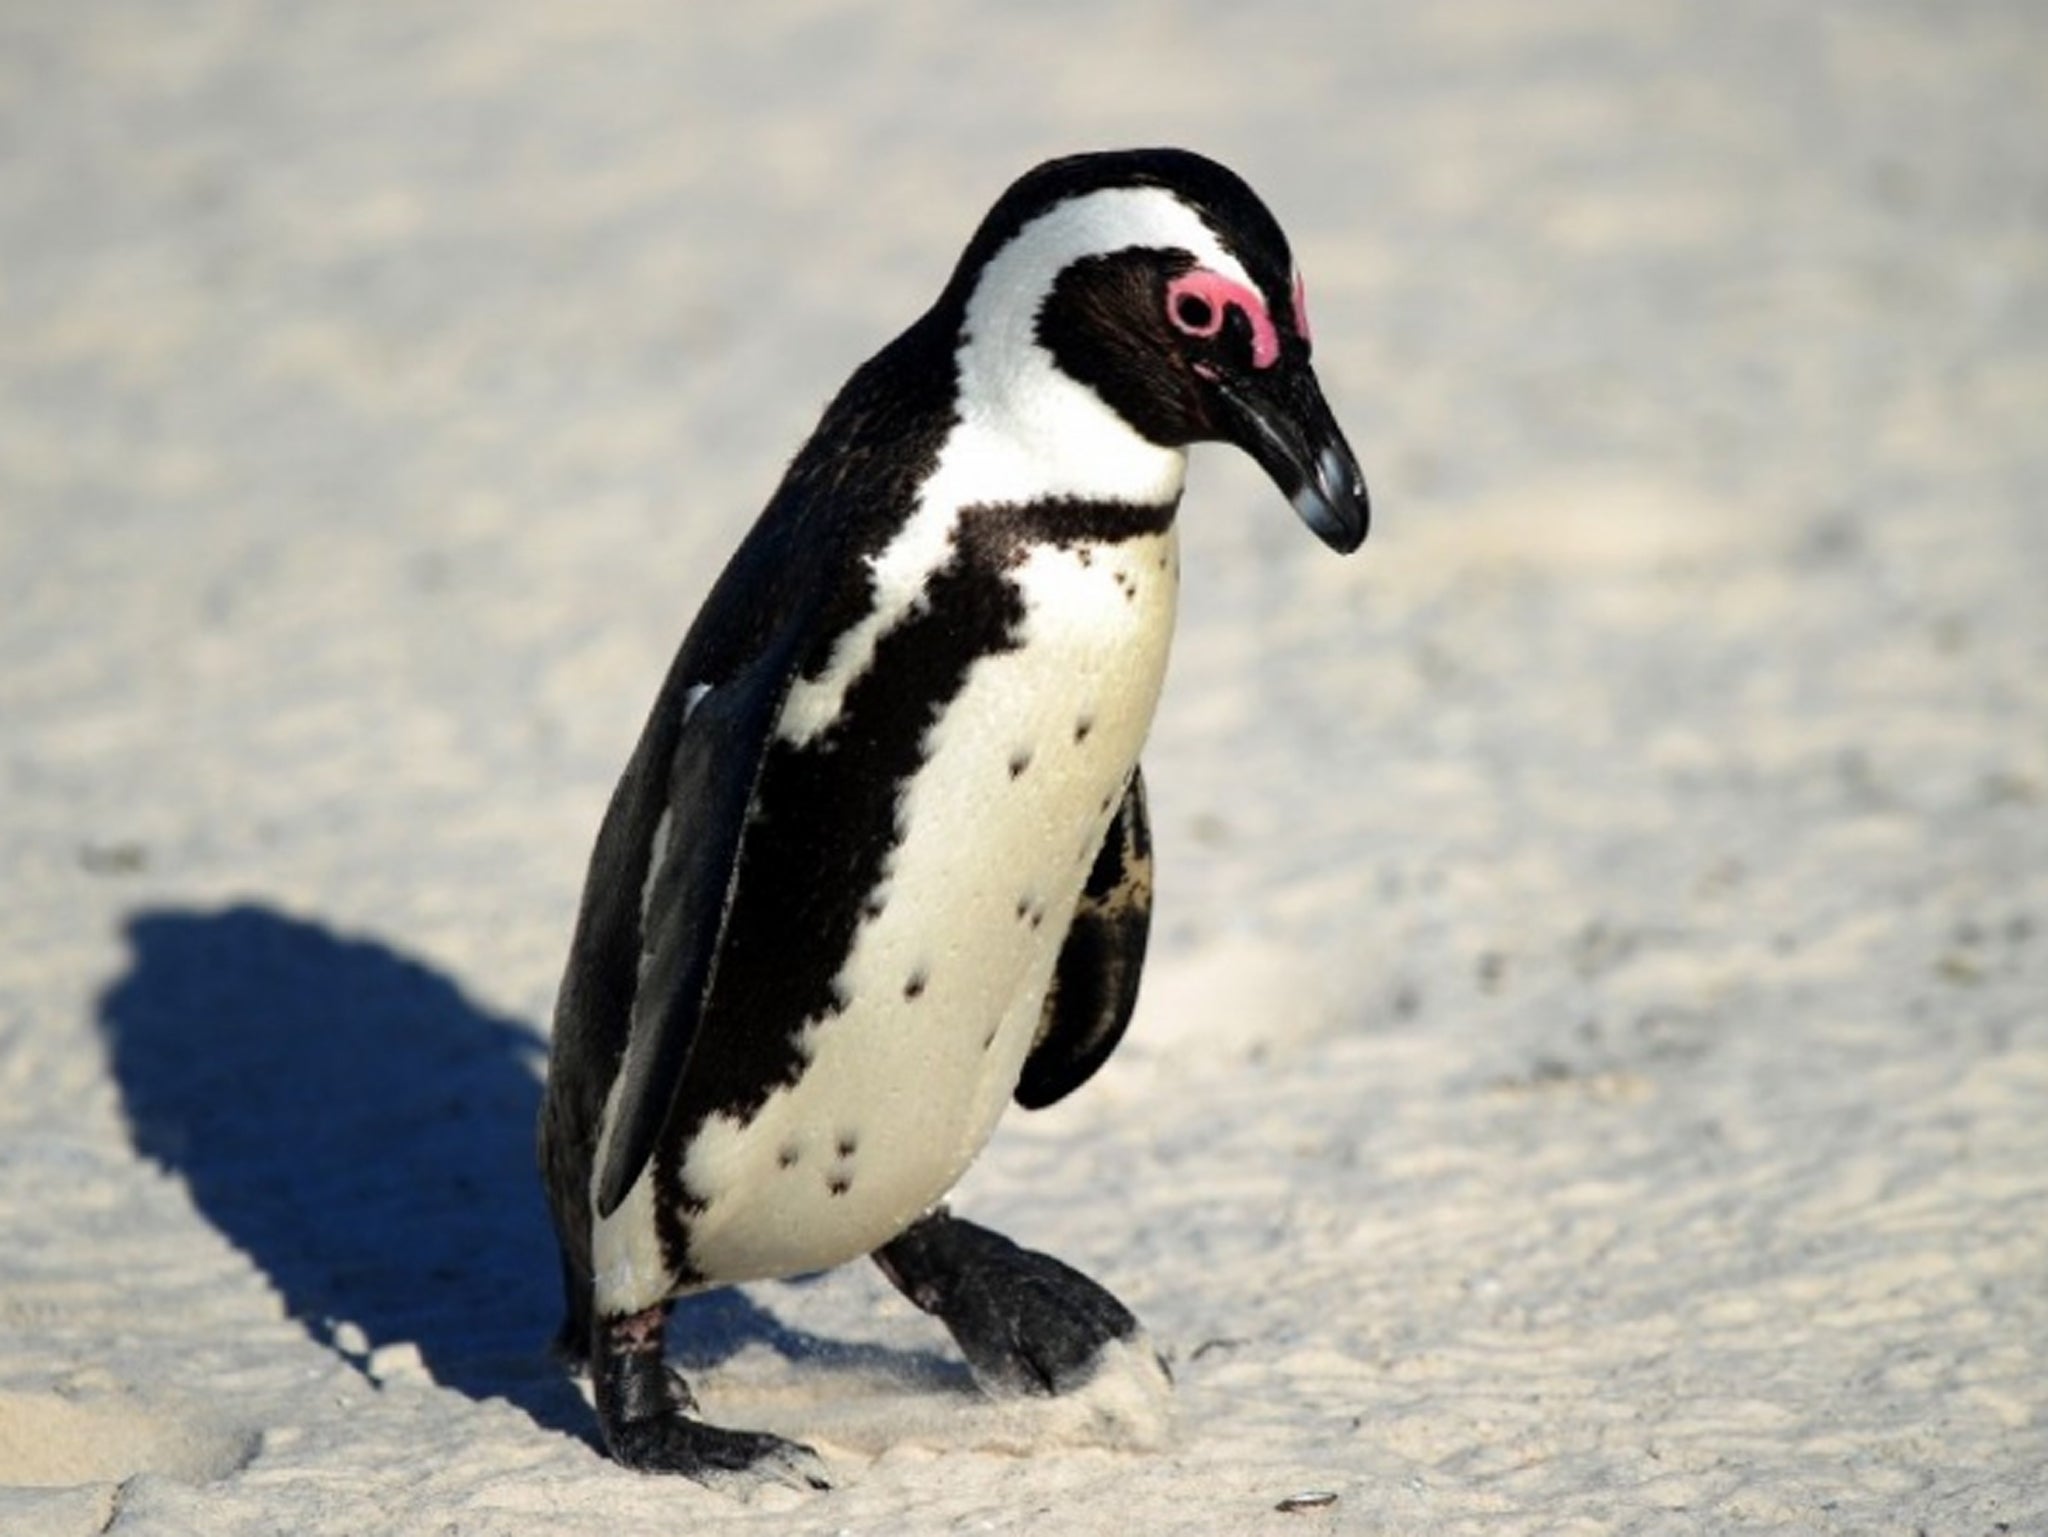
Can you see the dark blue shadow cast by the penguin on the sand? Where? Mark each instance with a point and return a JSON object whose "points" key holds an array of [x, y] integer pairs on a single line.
{"points": [[364, 1132]]}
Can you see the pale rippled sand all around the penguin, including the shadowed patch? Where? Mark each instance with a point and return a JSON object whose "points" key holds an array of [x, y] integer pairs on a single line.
{"points": [[1594, 1075]]}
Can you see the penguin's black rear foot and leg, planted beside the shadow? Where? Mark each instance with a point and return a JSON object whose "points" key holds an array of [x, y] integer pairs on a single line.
{"points": [[644, 1407]]}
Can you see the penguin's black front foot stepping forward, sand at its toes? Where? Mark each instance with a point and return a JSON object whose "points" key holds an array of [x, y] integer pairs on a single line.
{"points": [[1025, 1323]]}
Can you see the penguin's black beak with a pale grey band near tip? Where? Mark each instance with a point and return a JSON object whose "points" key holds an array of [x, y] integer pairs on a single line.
{"points": [[1281, 419]]}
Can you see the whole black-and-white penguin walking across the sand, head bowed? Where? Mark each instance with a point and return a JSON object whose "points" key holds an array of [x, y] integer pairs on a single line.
{"points": [[880, 862]]}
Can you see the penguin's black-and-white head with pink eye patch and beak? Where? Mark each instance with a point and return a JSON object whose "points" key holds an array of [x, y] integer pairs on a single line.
{"points": [[1158, 286]]}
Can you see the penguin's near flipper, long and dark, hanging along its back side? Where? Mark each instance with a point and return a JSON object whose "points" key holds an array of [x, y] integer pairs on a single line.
{"points": [[689, 897]]}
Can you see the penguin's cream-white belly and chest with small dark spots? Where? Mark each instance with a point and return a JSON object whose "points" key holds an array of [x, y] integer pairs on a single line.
{"points": [[945, 983]]}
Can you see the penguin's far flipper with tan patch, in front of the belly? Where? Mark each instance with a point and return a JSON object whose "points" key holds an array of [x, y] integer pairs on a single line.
{"points": [[1097, 983]]}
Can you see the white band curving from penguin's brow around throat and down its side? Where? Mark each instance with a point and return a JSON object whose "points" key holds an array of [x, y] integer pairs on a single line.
{"points": [[1027, 429]]}
